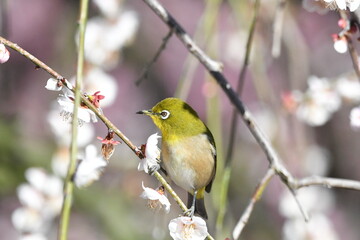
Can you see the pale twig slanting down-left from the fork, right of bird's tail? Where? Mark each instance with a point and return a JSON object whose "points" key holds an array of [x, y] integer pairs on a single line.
{"points": [[255, 197]]}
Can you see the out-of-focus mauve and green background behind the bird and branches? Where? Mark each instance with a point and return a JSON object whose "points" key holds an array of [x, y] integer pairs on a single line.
{"points": [[288, 69]]}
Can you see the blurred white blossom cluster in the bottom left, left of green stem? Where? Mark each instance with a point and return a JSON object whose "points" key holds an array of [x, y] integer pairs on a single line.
{"points": [[41, 199]]}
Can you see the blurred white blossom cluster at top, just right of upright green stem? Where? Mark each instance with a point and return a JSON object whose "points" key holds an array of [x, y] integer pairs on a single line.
{"points": [[106, 35]]}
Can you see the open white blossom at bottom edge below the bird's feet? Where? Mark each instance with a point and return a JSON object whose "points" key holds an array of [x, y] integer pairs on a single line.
{"points": [[186, 228]]}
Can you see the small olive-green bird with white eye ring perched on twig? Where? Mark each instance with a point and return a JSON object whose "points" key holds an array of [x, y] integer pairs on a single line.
{"points": [[188, 151]]}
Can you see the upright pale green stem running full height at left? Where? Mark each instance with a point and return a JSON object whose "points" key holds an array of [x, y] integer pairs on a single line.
{"points": [[69, 184]]}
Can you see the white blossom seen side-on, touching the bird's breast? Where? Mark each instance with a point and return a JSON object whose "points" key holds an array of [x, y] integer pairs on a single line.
{"points": [[152, 155]]}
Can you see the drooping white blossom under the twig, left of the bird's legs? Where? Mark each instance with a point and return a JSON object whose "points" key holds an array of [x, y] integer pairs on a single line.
{"points": [[156, 197]]}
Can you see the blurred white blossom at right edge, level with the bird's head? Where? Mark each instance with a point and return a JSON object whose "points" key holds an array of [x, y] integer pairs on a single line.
{"points": [[349, 89]]}
